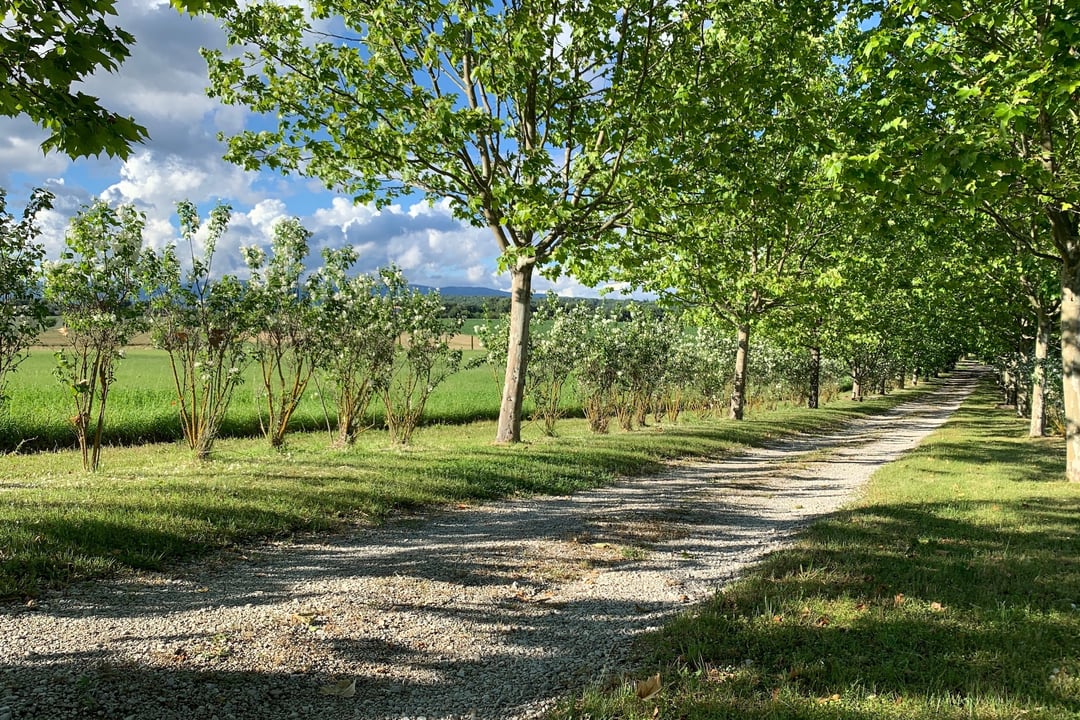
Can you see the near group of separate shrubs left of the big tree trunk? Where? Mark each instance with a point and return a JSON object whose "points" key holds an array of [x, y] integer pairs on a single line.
{"points": [[368, 336]]}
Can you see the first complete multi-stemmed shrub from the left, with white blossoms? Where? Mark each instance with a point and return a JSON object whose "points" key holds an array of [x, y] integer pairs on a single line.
{"points": [[96, 287]]}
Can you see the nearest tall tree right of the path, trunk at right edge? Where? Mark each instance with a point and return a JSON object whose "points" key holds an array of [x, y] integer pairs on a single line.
{"points": [[978, 105]]}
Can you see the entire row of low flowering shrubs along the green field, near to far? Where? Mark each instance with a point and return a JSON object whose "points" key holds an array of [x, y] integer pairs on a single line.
{"points": [[362, 336]]}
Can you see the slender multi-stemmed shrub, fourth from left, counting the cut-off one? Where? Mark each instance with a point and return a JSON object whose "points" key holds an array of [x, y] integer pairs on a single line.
{"points": [[288, 343]]}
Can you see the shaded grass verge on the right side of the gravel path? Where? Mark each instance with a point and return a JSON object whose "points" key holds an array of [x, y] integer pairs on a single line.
{"points": [[952, 590]]}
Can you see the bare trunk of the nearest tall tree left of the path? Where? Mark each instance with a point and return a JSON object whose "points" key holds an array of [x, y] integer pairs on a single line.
{"points": [[518, 352]]}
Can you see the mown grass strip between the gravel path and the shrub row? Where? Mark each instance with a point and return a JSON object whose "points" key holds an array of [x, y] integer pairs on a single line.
{"points": [[153, 506]]}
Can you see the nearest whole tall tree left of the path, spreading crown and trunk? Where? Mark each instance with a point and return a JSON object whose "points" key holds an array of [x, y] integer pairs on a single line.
{"points": [[522, 114]]}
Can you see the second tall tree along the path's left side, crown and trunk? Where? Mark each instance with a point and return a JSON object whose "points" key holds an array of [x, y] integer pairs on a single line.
{"points": [[738, 205]]}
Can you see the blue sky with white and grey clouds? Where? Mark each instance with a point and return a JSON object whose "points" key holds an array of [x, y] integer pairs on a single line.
{"points": [[163, 87]]}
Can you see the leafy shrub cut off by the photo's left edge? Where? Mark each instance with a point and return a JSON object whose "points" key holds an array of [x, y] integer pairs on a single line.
{"points": [[23, 314]]}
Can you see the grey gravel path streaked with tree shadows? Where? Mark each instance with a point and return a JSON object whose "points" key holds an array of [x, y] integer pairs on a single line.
{"points": [[478, 613]]}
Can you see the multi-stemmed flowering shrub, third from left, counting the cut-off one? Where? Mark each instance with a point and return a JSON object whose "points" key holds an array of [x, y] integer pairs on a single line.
{"points": [[202, 322]]}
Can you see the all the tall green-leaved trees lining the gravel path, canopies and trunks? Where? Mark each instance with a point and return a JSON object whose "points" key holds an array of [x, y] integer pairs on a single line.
{"points": [[859, 173]]}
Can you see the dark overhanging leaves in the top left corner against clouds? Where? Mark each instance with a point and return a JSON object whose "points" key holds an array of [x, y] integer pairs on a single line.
{"points": [[46, 48]]}
